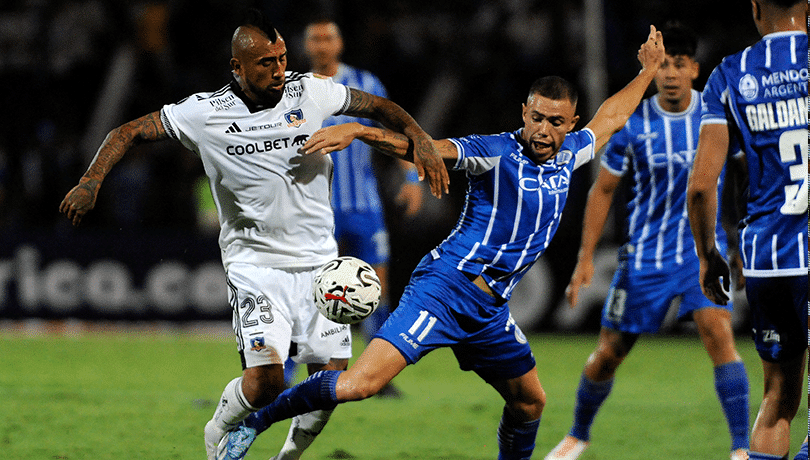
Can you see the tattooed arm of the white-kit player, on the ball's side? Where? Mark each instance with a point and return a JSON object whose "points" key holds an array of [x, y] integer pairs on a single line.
{"points": [[391, 115]]}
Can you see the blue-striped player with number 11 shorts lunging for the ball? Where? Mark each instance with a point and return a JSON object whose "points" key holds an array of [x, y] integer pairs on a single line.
{"points": [[458, 294]]}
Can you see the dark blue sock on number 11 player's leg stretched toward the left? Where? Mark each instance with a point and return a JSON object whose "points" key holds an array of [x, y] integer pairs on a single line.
{"points": [[316, 392]]}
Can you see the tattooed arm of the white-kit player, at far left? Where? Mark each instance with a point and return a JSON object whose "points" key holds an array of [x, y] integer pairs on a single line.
{"points": [[82, 198]]}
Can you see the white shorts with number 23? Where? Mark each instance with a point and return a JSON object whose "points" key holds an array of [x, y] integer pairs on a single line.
{"points": [[273, 307]]}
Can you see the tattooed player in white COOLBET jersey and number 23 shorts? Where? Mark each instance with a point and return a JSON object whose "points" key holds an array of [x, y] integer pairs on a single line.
{"points": [[272, 201]]}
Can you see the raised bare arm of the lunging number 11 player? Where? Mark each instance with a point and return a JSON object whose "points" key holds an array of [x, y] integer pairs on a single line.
{"points": [[616, 110]]}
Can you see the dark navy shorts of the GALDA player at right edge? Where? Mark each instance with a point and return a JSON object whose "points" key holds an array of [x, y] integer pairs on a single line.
{"points": [[778, 316]]}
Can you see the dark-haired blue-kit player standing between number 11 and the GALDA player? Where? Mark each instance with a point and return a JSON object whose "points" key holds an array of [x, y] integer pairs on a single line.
{"points": [[657, 263]]}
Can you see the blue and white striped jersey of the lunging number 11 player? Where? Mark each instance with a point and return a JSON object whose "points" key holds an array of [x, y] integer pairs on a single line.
{"points": [[513, 205]]}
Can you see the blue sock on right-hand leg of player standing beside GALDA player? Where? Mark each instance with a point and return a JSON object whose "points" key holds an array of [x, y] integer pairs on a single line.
{"points": [[731, 383]]}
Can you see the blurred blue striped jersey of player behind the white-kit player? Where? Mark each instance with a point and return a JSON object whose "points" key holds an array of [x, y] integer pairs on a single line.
{"points": [[354, 186]]}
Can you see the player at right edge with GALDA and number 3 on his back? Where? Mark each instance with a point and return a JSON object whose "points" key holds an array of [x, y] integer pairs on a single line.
{"points": [[759, 97]]}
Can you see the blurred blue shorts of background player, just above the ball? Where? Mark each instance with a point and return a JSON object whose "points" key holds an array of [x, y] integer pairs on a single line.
{"points": [[362, 235]]}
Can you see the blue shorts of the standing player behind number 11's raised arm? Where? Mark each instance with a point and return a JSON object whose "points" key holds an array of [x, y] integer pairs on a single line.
{"points": [[638, 300]]}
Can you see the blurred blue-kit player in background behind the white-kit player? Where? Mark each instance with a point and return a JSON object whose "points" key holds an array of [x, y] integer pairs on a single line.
{"points": [[359, 215]]}
